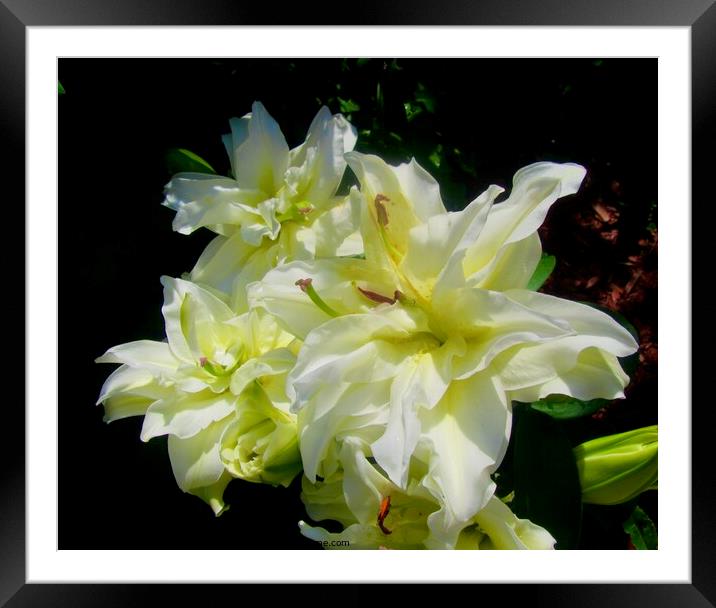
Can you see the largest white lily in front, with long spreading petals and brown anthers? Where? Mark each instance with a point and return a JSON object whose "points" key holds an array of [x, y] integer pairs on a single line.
{"points": [[428, 340]]}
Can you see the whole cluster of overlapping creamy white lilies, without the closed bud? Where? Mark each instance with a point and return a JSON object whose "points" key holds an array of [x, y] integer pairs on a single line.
{"points": [[373, 342]]}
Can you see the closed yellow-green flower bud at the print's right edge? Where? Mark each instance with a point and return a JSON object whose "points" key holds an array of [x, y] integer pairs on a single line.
{"points": [[616, 468]]}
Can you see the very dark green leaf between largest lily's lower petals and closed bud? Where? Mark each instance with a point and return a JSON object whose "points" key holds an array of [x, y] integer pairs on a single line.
{"points": [[546, 480]]}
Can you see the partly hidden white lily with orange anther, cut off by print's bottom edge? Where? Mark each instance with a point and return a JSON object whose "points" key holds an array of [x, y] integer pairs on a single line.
{"points": [[377, 514]]}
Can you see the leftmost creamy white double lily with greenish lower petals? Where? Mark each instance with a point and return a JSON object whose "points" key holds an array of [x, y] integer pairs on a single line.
{"points": [[216, 388]]}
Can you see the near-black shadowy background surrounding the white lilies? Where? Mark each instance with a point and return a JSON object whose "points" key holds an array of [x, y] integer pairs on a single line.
{"points": [[470, 122]]}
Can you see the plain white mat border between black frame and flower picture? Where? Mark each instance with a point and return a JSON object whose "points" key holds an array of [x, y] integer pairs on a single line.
{"points": [[670, 563]]}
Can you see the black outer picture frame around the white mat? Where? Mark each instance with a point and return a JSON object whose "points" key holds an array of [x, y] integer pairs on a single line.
{"points": [[17, 15]]}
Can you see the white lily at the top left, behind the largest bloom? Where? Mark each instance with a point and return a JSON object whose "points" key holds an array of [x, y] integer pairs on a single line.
{"points": [[279, 204]]}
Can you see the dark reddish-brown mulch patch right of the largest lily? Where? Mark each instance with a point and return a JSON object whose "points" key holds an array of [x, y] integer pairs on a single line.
{"points": [[606, 247]]}
